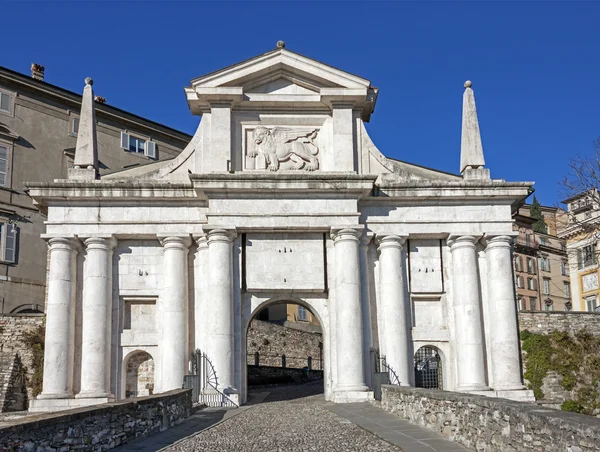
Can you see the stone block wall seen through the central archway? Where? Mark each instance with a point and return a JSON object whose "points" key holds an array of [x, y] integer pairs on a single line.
{"points": [[271, 341]]}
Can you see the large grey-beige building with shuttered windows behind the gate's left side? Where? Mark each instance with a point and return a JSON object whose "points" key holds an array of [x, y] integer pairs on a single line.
{"points": [[38, 132]]}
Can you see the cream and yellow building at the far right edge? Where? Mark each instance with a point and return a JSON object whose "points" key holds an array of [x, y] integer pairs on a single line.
{"points": [[581, 236]]}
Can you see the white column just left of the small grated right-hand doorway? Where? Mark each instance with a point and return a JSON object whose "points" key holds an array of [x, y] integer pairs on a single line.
{"points": [[394, 309]]}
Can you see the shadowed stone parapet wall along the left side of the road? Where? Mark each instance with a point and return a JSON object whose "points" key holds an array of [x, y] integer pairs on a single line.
{"points": [[101, 427]]}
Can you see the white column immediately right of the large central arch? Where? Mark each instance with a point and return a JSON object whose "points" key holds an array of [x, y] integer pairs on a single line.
{"points": [[348, 324]]}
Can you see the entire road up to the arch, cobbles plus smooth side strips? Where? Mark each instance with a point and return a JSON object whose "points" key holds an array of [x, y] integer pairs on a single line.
{"points": [[295, 418]]}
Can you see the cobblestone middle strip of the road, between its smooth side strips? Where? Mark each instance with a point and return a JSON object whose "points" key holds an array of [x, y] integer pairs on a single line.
{"points": [[289, 419]]}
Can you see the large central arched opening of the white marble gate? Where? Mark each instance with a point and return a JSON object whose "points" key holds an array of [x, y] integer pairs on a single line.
{"points": [[284, 345]]}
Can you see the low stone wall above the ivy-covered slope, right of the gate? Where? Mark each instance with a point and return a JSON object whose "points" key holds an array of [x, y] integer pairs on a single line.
{"points": [[547, 321]]}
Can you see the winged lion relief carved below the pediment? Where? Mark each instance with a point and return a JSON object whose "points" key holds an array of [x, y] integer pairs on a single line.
{"points": [[280, 145]]}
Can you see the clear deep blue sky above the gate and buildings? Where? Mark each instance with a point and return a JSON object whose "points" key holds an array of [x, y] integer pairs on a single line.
{"points": [[534, 65]]}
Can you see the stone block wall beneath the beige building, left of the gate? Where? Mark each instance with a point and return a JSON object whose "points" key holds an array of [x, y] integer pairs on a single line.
{"points": [[16, 360]]}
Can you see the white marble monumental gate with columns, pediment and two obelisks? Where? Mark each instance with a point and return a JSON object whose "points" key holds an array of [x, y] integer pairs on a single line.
{"points": [[280, 197]]}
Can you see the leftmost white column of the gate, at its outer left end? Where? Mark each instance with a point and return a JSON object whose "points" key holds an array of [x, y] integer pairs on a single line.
{"points": [[60, 320]]}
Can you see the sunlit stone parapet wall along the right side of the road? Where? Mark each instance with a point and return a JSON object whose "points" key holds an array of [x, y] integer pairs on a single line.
{"points": [[488, 424]]}
